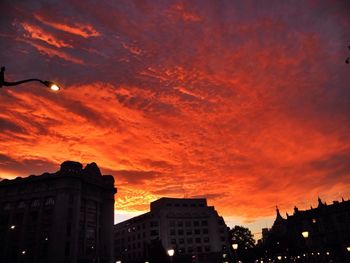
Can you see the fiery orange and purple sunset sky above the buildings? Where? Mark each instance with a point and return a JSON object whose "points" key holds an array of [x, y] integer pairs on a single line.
{"points": [[246, 103]]}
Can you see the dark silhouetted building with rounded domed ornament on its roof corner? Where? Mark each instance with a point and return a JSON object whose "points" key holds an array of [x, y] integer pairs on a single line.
{"points": [[61, 217]]}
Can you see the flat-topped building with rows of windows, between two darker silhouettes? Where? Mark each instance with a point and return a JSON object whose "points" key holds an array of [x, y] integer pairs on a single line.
{"points": [[194, 230]]}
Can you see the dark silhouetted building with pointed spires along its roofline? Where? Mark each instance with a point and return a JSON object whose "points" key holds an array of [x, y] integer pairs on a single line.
{"points": [[325, 239]]}
